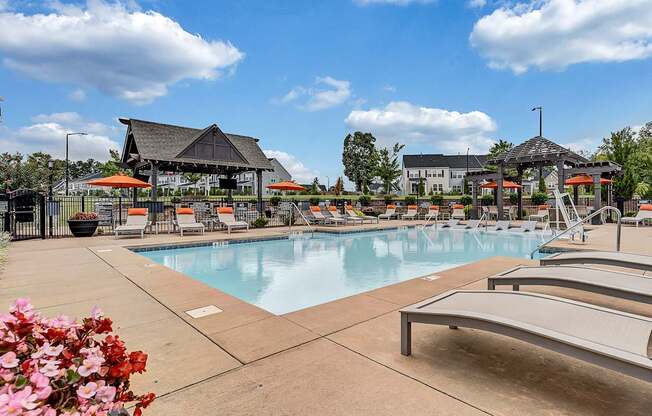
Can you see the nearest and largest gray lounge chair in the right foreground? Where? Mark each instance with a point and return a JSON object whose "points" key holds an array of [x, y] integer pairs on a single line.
{"points": [[600, 336]]}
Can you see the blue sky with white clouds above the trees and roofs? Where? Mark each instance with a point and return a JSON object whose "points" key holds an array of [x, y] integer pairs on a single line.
{"points": [[439, 76]]}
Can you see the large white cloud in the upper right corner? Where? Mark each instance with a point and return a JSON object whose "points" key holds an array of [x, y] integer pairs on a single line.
{"points": [[553, 34]]}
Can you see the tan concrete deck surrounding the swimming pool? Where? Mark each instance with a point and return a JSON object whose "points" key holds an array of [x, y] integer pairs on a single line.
{"points": [[339, 358]]}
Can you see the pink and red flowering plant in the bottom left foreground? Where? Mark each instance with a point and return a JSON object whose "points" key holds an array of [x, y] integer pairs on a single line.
{"points": [[60, 367]]}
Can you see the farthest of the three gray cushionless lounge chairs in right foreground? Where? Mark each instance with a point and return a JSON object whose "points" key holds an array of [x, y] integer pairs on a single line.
{"points": [[609, 258]]}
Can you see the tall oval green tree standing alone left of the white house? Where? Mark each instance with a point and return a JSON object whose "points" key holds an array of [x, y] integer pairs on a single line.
{"points": [[359, 158]]}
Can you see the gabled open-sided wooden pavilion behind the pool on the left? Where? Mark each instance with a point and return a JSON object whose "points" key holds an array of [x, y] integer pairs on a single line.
{"points": [[151, 148]]}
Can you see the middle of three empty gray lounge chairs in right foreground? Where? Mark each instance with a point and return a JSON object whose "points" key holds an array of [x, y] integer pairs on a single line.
{"points": [[607, 282]]}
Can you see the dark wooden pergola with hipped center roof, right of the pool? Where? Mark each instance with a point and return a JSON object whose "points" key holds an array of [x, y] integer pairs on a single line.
{"points": [[538, 152]]}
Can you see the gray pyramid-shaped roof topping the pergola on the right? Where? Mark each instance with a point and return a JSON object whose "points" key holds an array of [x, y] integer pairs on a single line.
{"points": [[538, 149]]}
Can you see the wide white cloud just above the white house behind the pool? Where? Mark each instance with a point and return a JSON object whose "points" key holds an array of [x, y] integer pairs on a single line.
{"points": [[444, 130]]}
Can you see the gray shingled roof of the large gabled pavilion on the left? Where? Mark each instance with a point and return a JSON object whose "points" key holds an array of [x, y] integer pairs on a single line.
{"points": [[164, 142]]}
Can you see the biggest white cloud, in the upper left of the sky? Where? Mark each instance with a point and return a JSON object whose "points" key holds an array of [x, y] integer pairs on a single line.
{"points": [[114, 48]]}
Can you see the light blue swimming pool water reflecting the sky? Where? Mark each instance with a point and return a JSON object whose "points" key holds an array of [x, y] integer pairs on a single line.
{"points": [[288, 274]]}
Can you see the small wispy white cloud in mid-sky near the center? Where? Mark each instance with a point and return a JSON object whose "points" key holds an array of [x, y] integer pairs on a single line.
{"points": [[327, 92]]}
